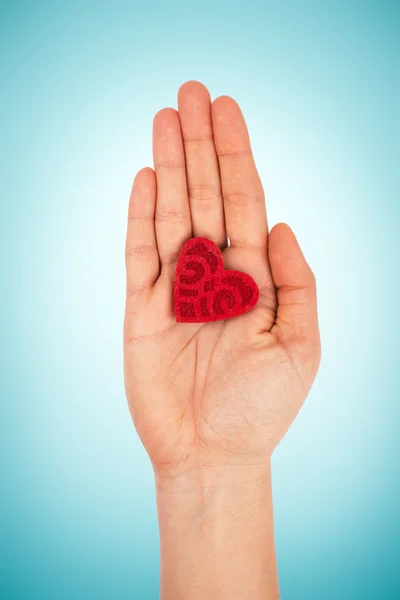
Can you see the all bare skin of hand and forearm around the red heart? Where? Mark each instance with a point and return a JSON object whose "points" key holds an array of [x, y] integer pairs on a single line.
{"points": [[211, 401]]}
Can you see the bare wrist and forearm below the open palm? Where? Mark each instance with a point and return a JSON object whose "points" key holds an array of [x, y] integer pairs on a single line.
{"points": [[216, 535]]}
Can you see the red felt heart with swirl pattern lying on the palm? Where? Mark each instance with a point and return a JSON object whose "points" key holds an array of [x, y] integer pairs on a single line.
{"points": [[204, 291]]}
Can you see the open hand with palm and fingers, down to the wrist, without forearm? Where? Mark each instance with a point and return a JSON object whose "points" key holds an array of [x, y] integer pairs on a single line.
{"points": [[224, 393]]}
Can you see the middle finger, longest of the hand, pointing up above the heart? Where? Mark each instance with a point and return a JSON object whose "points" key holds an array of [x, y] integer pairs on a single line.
{"points": [[202, 169]]}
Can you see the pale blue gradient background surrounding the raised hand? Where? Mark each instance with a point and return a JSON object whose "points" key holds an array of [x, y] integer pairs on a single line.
{"points": [[319, 85]]}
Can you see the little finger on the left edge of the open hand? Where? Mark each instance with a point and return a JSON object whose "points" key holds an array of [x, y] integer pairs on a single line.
{"points": [[142, 264]]}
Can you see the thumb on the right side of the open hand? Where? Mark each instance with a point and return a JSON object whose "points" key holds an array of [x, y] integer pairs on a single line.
{"points": [[297, 319]]}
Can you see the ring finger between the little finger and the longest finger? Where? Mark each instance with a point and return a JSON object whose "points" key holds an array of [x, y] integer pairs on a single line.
{"points": [[173, 223]]}
